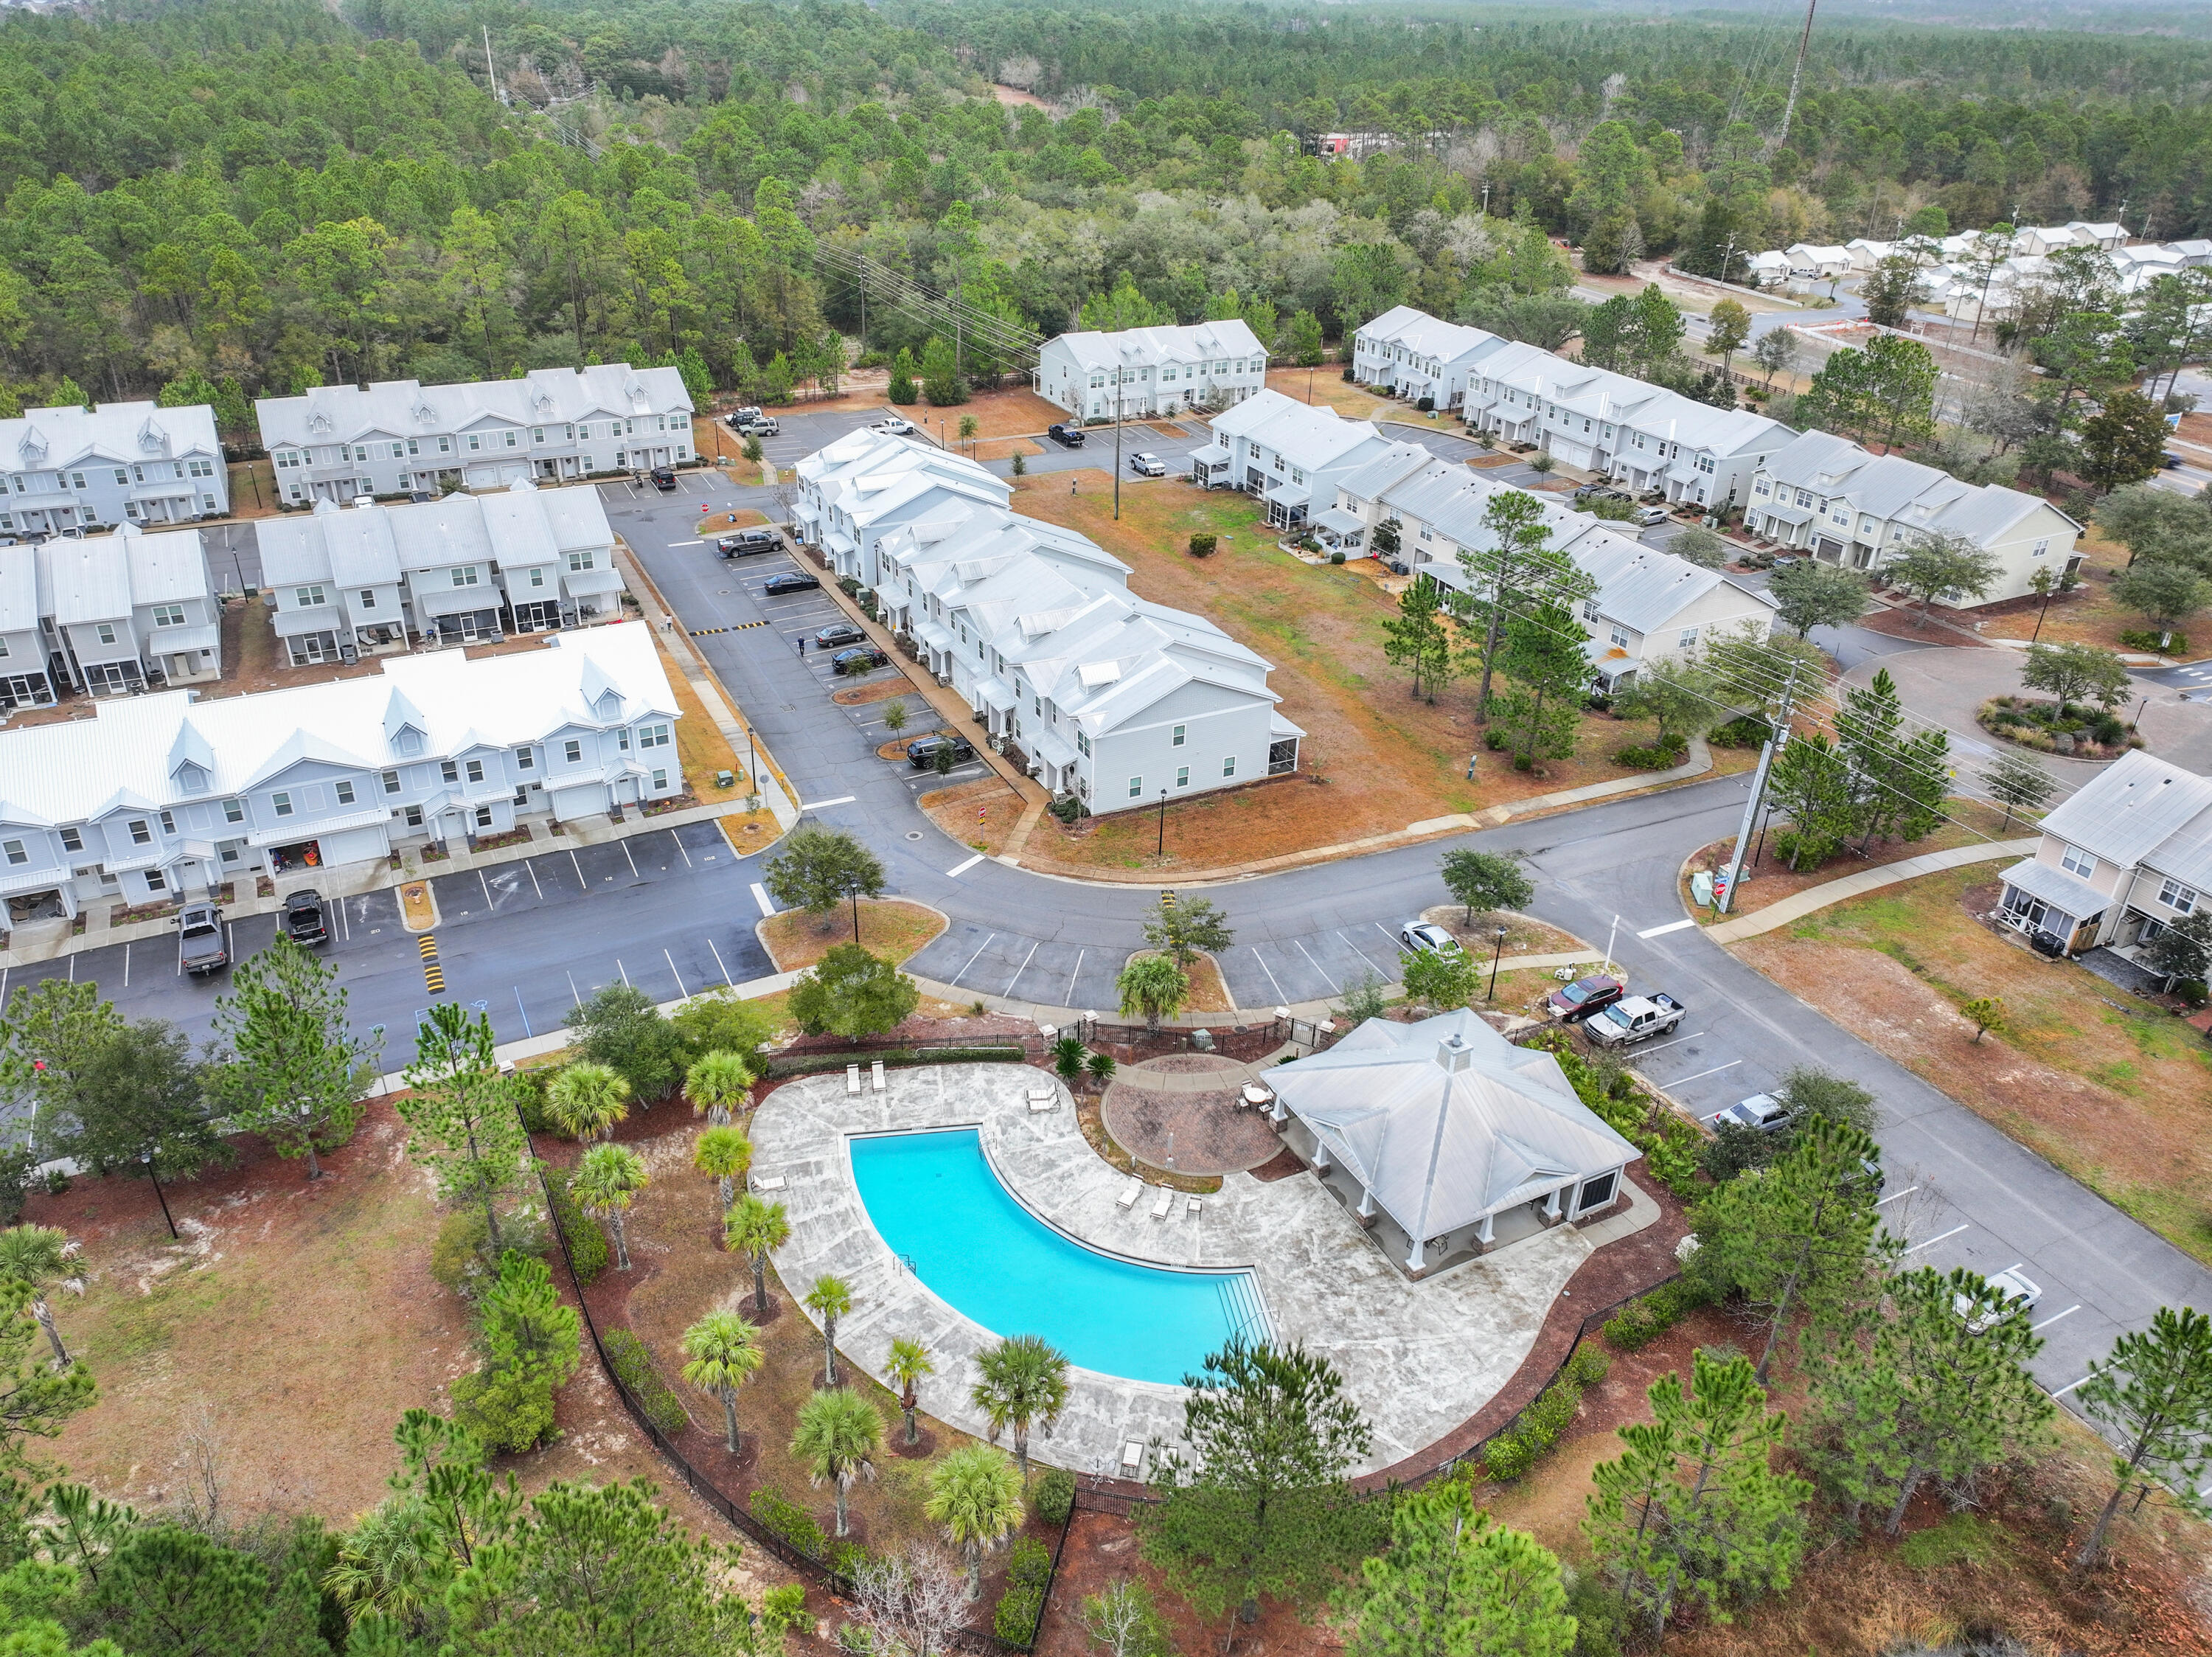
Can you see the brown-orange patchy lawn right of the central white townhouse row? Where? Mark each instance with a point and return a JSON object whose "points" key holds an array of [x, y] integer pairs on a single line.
{"points": [[1384, 758]]}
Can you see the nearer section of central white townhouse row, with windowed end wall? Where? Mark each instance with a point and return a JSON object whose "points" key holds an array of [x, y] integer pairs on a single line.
{"points": [[1098, 694]]}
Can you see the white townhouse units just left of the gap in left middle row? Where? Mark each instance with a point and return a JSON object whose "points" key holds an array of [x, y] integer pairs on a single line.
{"points": [[129, 609]]}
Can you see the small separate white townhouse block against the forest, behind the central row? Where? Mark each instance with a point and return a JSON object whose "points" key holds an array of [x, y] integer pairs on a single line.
{"points": [[1151, 371]]}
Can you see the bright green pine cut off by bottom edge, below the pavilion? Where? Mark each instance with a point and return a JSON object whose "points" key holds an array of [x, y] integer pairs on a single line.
{"points": [[1457, 1583]]}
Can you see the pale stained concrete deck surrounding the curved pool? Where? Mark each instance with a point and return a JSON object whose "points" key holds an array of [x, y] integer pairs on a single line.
{"points": [[1417, 1357]]}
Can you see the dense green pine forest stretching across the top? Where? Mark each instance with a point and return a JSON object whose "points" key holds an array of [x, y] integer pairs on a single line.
{"points": [[255, 196]]}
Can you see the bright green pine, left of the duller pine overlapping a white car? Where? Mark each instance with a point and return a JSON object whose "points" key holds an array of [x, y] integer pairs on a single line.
{"points": [[1693, 1508]]}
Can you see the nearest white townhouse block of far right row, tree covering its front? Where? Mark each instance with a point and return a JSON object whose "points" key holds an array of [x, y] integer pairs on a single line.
{"points": [[1859, 510]]}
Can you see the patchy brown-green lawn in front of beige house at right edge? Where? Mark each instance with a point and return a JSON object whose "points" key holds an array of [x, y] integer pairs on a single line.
{"points": [[2114, 1092]]}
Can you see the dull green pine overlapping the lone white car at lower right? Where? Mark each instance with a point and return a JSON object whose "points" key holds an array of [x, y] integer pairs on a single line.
{"points": [[1941, 1393]]}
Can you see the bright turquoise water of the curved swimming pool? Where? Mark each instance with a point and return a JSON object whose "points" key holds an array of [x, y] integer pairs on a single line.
{"points": [[935, 1200]]}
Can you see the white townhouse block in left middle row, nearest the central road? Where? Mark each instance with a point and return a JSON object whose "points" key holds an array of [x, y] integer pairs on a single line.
{"points": [[461, 570]]}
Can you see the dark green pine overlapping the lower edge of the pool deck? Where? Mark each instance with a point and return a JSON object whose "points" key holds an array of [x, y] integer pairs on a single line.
{"points": [[1258, 1501]]}
